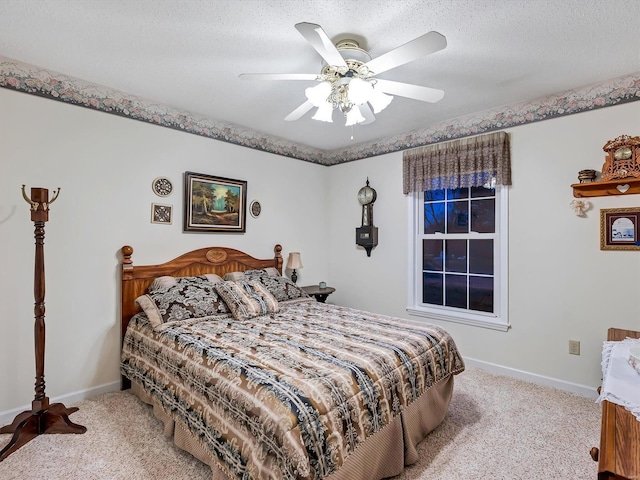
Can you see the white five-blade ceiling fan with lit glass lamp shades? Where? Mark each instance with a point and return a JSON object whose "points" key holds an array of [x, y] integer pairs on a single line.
{"points": [[348, 81]]}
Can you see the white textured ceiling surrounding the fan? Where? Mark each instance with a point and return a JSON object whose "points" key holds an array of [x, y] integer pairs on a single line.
{"points": [[188, 54]]}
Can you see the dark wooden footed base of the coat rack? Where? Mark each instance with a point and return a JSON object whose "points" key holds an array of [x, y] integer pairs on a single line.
{"points": [[31, 423]]}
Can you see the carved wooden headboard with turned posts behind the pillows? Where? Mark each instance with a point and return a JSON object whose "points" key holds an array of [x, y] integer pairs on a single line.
{"points": [[218, 260]]}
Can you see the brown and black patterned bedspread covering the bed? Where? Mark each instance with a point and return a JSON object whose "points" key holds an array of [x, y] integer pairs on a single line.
{"points": [[287, 395]]}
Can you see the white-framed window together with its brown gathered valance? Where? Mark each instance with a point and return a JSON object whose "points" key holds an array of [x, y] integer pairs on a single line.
{"points": [[458, 207]]}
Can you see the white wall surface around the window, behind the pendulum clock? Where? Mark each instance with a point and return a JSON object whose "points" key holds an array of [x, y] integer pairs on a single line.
{"points": [[561, 285]]}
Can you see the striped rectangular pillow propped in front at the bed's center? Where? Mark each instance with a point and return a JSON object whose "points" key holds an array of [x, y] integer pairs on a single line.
{"points": [[247, 299]]}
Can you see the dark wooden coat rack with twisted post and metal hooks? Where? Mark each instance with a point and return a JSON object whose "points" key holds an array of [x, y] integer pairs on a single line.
{"points": [[43, 417]]}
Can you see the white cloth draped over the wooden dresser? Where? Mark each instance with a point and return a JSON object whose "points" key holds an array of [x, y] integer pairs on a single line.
{"points": [[620, 381]]}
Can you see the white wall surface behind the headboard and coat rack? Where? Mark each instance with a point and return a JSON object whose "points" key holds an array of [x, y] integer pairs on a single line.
{"points": [[105, 165]]}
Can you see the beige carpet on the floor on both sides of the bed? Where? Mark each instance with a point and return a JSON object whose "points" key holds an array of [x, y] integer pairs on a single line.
{"points": [[497, 428]]}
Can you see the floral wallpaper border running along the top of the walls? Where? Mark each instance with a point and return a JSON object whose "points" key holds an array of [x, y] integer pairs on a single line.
{"points": [[30, 79]]}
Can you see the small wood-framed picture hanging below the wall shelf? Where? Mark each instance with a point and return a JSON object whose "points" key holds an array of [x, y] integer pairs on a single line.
{"points": [[619, 228]]}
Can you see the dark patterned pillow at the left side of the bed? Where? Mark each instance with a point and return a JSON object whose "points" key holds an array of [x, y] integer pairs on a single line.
{"points": [[188, 297]]}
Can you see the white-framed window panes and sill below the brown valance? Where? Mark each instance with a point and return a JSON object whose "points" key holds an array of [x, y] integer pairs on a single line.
{"points": [[459, 256]]}
